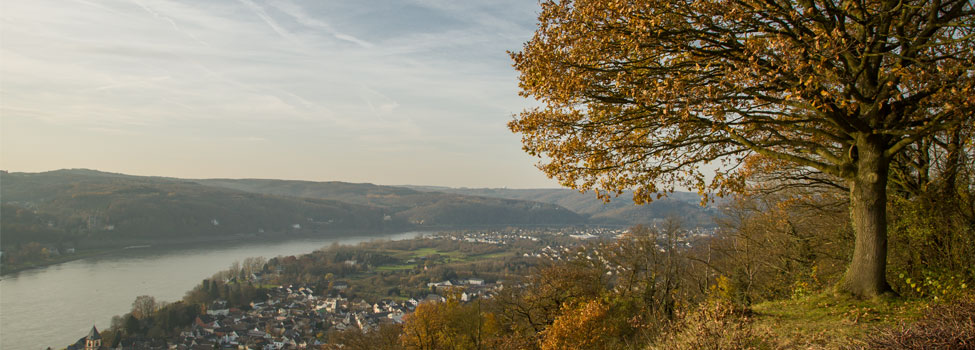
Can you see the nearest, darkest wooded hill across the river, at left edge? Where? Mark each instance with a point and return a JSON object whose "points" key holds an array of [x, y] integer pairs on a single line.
{"points": [[59, 205]]}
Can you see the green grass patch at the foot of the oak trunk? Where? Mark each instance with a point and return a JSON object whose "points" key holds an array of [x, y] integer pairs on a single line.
{"points": [[827, 321]]}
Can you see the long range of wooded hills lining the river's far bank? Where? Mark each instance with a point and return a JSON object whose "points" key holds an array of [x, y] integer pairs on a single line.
{"points": [[82, 205]]}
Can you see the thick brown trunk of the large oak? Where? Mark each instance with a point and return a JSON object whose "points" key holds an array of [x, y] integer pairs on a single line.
{"points": [[867, 274]]}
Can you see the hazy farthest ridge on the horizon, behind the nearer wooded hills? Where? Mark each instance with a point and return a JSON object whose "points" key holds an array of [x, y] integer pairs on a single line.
{"points": [[445, 205]]}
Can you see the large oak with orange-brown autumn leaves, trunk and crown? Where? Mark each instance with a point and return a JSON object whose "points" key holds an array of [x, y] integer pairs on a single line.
{"points": [[637, 94]]}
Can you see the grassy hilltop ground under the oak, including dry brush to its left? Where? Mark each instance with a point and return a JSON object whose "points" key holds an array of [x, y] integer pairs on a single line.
{"points": [[821, 321]]}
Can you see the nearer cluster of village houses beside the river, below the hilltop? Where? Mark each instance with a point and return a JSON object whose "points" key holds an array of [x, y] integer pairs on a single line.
{"points": [[293, 317]]}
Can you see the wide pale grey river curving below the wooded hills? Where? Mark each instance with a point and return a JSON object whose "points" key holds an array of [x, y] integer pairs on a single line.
{"points": [[55, 305]]}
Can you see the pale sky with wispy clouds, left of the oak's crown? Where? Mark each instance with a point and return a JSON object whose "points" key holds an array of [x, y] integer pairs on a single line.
{"points": [[388, 92]]}
